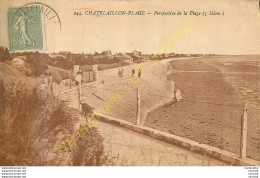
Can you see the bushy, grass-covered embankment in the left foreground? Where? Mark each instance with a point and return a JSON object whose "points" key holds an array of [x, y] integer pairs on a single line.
{"points": [[33, 124]]}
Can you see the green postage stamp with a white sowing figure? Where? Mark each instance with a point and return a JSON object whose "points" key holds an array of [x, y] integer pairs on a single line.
{"points": [[25, 29]]}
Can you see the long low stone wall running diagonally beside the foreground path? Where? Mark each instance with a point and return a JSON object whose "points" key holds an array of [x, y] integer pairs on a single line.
{"points": [[191, 145]]}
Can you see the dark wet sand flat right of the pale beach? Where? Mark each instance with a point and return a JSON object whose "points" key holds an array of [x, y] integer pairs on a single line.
{"points": [[212, 103]]}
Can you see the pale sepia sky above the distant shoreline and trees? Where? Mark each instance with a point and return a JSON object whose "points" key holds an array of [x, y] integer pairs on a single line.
{"points": [[237, 32]]}
